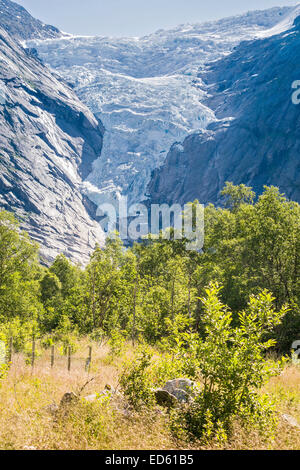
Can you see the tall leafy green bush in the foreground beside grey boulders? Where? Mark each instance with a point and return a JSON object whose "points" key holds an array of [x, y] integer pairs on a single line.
{"points": [[232, 367]]}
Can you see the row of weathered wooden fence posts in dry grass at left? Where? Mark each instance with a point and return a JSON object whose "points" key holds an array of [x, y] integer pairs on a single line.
{"points": [[51, 355]]}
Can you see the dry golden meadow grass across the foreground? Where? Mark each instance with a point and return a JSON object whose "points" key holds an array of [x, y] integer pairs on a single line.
{"points": [[25, 421]]}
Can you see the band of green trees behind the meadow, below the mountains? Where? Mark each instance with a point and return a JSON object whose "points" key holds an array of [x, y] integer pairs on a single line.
{"points": [[148, 289]]}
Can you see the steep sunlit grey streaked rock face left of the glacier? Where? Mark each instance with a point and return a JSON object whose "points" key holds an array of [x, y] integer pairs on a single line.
{"points": [[48, 141]]}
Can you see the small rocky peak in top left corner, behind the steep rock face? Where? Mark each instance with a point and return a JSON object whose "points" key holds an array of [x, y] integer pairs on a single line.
{"points": [[21, 25]]}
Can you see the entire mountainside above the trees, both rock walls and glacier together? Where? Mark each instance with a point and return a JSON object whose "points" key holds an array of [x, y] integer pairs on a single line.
{"points": [[183, 110]]}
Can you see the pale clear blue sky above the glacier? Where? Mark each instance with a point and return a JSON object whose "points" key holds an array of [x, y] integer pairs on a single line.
{"points": [[136, 17]]}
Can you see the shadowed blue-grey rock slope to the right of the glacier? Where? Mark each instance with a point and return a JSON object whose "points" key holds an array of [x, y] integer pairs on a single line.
{"points": [[255, 139]]}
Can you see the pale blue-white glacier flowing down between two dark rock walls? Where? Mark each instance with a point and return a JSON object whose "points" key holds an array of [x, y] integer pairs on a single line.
{"points": [[147, 91]]}
